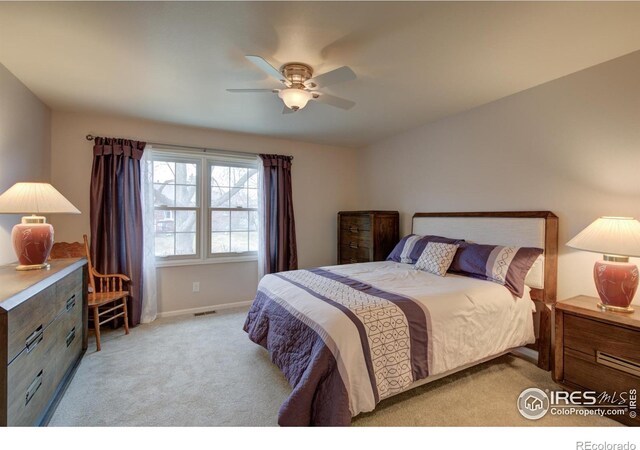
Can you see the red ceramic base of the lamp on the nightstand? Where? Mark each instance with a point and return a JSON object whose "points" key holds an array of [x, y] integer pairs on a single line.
{"points": [[616, 283]]}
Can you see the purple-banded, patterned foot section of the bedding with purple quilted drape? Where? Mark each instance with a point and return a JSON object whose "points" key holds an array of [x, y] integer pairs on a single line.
{"points": [[393, 337]]}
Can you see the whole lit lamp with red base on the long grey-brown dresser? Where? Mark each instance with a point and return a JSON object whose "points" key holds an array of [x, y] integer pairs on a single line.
{"points": [[33, 238]]}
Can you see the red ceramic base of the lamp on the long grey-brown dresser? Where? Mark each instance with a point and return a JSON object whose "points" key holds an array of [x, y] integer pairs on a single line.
{"points": [[32, 243]]}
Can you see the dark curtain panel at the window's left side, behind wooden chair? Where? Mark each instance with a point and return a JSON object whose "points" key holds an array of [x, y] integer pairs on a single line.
{"points": [[116, 214]]}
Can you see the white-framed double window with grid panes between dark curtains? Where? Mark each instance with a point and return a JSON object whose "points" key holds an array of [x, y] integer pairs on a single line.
{"points": [[205, 207]]}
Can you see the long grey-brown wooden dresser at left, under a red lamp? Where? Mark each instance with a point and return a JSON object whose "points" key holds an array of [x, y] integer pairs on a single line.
{"points": [[42, 338]]}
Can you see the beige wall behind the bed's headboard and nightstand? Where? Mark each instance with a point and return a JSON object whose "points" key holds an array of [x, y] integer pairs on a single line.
{"points": [[571, 146]]}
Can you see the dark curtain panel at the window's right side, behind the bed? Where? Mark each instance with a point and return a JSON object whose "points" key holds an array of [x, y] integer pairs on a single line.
{"points": [[280, 229]]}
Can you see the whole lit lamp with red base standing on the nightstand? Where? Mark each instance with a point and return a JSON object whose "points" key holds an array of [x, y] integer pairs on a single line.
{"points": [[616, 278]]}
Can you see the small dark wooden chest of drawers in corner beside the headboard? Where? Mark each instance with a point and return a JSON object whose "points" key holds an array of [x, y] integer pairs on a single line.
{"points": [[365, 236]]}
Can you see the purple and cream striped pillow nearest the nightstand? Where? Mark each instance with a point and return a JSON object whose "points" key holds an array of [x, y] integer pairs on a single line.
{"points": [[503, 265]]}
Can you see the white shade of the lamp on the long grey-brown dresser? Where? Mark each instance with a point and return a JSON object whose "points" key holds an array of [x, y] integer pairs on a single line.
{"points": [[35, 198]]}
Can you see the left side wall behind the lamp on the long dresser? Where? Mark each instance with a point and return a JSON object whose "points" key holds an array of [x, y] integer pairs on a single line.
{"points": [[25, 124]]}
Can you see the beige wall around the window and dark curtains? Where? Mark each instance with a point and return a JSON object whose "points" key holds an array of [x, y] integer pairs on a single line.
{"points": [[323, 184]]}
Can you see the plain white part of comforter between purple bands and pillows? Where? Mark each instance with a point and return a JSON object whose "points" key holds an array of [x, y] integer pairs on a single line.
{"points": [[471, 319]]}
